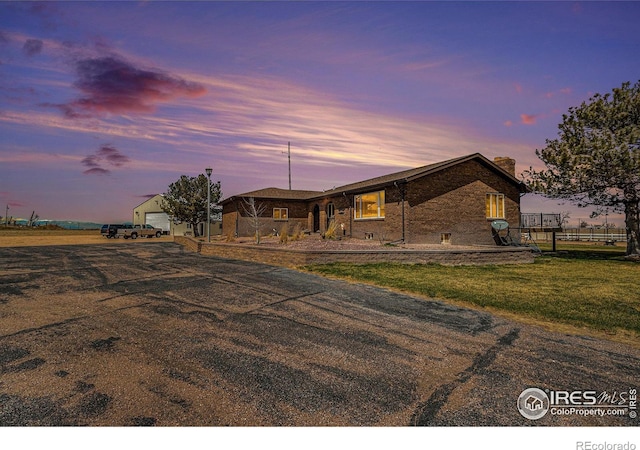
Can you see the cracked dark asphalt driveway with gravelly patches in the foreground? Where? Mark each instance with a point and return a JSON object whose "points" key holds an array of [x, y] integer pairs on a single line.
{"points": [[153, 335]]}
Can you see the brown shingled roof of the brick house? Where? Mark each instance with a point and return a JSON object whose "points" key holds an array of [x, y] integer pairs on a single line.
{"points": [[378, 182]]}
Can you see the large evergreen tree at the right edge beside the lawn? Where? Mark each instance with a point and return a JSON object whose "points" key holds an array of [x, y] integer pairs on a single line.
{"points": [[595, 161]]}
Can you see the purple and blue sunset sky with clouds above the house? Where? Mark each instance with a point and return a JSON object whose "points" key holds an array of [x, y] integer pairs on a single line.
{"points": [[103, 104]]}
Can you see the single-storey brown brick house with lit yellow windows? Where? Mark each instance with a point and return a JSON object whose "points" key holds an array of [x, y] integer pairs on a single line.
{"points": [[451, 202]]}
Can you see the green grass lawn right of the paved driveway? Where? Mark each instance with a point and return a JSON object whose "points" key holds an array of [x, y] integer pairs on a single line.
{"points": [[581, 286]]}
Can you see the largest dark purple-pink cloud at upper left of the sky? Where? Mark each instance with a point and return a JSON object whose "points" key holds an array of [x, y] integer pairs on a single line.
{"points": [[112, 85]]}
